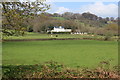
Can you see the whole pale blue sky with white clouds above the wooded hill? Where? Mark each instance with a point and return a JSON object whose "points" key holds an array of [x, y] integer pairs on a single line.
{"points": [[103, 9]]}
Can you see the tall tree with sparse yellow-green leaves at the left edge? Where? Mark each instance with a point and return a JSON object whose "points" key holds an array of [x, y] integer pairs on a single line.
{"points": [[15, 14]]}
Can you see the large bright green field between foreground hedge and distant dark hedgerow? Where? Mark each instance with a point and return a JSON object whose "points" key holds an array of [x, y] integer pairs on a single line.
{"points": [[72, 53]]}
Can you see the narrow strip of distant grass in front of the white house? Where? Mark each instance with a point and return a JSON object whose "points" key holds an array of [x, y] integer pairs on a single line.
{"points": [[43, 36]]}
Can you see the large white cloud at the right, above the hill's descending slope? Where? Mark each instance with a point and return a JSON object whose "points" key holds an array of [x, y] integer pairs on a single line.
{"points": [[100, 9]]}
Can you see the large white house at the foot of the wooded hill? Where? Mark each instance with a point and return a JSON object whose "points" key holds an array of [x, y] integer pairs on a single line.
{"points": [[59, 29]]}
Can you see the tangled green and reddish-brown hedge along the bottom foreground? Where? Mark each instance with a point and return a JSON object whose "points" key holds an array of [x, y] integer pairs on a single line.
{"points": [[53, 69]]}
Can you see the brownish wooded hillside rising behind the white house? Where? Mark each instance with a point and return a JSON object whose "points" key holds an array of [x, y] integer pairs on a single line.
{"points": [[85, 22]]}
